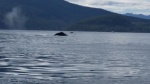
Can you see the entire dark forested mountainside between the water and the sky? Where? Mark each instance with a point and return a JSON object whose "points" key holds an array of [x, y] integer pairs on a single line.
{"points": [[62, 15]]}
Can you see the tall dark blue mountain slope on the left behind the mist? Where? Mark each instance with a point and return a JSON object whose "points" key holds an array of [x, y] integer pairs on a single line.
{"points": [[44, 14]]}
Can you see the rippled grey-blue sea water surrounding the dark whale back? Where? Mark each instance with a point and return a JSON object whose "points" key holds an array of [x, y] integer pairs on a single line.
{"points": [[39, 57]]}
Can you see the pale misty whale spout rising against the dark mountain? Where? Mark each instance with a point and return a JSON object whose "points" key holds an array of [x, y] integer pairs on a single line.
{"points": [[15, 19]]}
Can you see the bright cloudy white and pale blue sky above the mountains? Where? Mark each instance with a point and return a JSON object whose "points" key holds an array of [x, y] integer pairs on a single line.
{"points": [[119, 6]]}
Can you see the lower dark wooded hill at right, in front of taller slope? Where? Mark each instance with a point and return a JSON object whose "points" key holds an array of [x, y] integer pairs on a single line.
{"points": [[112, 23]]}
